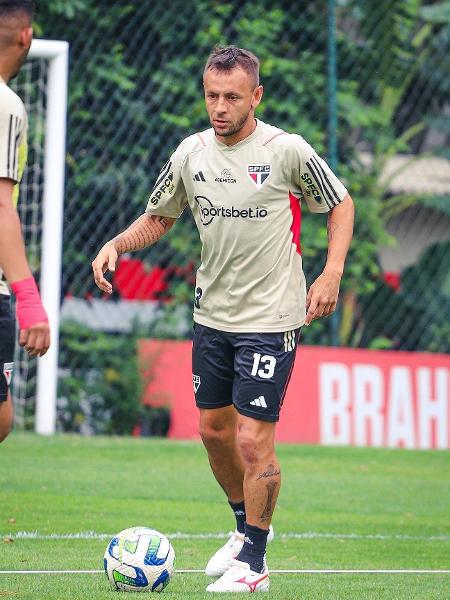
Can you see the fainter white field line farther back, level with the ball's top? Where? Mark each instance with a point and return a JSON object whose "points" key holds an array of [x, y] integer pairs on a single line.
{"points": [[93, 535]]}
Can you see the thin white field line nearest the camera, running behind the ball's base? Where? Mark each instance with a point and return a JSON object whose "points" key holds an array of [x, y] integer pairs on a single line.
{"points": [[295, 571]]}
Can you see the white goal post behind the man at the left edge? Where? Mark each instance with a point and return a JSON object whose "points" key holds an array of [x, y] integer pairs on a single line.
{"points": [[57, 55]]}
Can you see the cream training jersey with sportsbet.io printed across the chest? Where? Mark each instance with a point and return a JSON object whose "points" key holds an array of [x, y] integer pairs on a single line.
{"points": [[246, 201]]}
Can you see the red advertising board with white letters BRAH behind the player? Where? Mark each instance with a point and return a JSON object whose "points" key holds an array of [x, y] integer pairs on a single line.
{"points": [[337, 396]]}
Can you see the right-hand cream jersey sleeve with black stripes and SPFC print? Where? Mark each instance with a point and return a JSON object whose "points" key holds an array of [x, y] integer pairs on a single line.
{"points": [[319, 186]]}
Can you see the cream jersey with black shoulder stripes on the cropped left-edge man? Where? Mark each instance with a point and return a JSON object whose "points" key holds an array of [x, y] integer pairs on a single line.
{"points": [[13, 145]]}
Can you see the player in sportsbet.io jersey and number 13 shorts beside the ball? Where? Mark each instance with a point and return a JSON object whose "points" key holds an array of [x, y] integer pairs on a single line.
{"points": [[243, 181]]}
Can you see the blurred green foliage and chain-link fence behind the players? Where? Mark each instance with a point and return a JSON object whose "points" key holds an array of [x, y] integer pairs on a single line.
{"points": [[366, 83]]}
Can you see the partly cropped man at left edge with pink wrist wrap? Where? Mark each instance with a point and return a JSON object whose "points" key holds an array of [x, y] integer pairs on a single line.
{"points": [[15, 40]]}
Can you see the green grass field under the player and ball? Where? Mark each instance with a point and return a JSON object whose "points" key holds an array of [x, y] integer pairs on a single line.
{"points": [[61, 498]]}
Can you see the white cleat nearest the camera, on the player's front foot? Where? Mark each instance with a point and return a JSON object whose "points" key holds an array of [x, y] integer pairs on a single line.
{"points": [[240, 578]]}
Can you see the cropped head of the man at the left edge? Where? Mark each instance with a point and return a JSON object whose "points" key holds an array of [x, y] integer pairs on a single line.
{"points": [[16, 34]]}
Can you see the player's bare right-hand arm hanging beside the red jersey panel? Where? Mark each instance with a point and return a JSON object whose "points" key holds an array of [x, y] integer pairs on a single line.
{"points": [[323, 294]]}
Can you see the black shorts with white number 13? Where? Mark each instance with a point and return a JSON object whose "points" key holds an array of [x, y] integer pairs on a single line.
{"points": [[248, 370]]}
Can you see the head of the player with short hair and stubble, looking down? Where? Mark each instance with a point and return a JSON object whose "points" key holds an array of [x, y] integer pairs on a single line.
{"points": [[232, 90]]}
